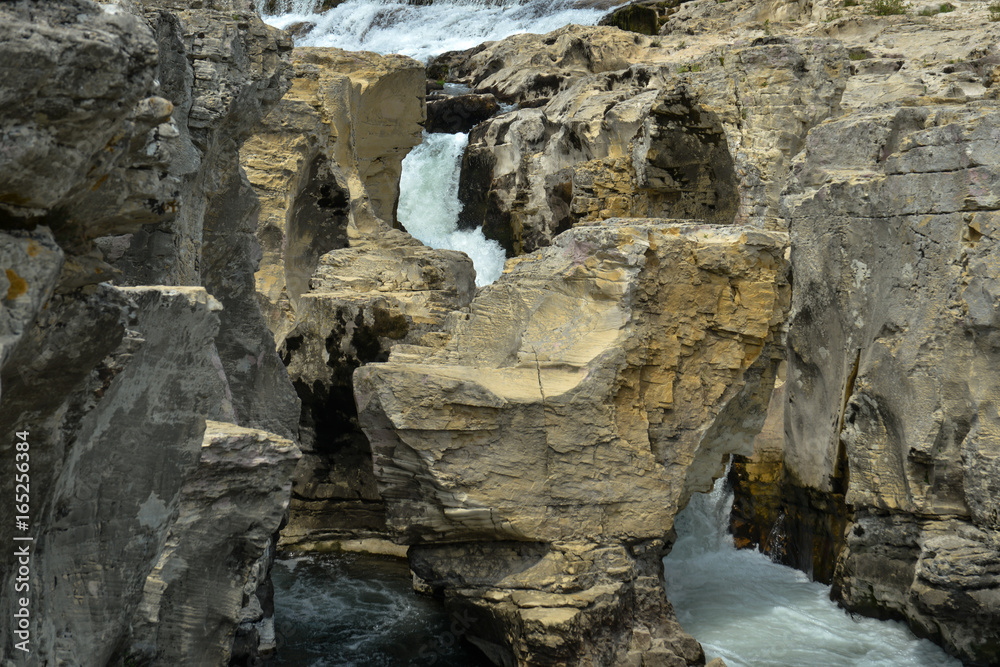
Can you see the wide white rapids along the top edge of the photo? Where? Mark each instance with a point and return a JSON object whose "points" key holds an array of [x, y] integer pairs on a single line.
{"points": [[426, 30]]}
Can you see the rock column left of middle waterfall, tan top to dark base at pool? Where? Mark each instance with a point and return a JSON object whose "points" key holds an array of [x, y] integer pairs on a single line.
{"points": [[340, 286]]}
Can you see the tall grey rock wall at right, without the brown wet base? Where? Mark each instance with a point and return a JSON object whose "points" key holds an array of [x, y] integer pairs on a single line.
{"points": [[891, 400]]}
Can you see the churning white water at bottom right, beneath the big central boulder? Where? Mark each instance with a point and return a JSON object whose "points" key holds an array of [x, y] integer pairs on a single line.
{"points": [[752, 612]]}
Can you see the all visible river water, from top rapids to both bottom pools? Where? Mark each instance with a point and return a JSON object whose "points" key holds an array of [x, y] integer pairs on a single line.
{"points": [[352, 610]]}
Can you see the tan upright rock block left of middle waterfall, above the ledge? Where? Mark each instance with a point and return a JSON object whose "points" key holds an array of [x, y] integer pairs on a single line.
{"points": [[327, 162]]}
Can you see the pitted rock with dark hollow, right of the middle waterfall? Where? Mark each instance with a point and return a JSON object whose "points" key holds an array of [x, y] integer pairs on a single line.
{"points": [[646, 134]]}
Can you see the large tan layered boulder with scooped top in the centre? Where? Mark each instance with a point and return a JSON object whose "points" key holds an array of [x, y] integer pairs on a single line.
{"points": [[536, 461]]}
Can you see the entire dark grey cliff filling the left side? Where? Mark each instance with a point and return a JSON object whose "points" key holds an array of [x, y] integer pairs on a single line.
{"points": [[121, 130]]}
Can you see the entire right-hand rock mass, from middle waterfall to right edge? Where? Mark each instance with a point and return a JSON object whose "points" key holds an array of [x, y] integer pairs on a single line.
{"points": [[863, 136]]}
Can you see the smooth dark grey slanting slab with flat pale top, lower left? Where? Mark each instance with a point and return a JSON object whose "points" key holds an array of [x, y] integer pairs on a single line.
{"points": [[149, 394]]}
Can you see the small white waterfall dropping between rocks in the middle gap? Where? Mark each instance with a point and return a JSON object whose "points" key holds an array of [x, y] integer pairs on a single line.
{"points": [[429, 206]]}
